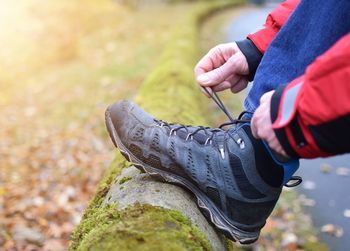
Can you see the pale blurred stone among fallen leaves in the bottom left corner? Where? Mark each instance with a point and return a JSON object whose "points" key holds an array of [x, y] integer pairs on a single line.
{"points": [[24, 233]]}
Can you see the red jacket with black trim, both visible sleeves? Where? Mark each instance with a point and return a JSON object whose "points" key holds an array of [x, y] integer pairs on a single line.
{"points": [[313, 111]]}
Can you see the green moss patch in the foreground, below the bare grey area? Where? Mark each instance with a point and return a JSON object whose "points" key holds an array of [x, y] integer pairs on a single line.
{"points": [[141, 227]]}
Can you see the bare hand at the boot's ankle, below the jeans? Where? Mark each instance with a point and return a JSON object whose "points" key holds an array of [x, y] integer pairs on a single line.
{"points": [[262, 127]]}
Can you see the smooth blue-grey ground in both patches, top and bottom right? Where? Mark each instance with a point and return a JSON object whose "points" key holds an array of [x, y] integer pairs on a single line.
{"points": [[330, 192]]}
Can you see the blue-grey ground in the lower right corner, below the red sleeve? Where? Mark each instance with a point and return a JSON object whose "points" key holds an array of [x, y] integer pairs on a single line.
{"points": [[332, 196]]}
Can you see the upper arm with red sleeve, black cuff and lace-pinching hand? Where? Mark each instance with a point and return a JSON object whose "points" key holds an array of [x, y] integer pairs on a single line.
{"points": [[232, 65]]}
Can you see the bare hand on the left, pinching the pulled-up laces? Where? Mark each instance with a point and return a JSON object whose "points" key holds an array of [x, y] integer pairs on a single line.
{"points": [[224, 67]]}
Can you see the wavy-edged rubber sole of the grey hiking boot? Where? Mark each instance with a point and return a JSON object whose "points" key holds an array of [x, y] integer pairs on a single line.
{"points": [[208, 208]]}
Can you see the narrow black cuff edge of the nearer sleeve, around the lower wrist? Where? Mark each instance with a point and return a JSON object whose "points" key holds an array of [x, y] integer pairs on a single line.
{"points": [[281, 133]]}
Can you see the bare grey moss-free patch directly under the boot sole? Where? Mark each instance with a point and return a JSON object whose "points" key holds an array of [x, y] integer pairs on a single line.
{"points": [[141, 188]]}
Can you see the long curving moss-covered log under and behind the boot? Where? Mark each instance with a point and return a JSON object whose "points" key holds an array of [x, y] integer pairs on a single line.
{"points": [[130, 210]]}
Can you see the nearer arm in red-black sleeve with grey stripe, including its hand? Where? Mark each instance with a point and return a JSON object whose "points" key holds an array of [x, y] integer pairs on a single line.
{"points": [[310, 117]]}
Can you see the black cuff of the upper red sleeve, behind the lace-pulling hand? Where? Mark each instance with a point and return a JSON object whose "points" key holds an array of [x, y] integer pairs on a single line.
{"points": [[252, 54]]}
